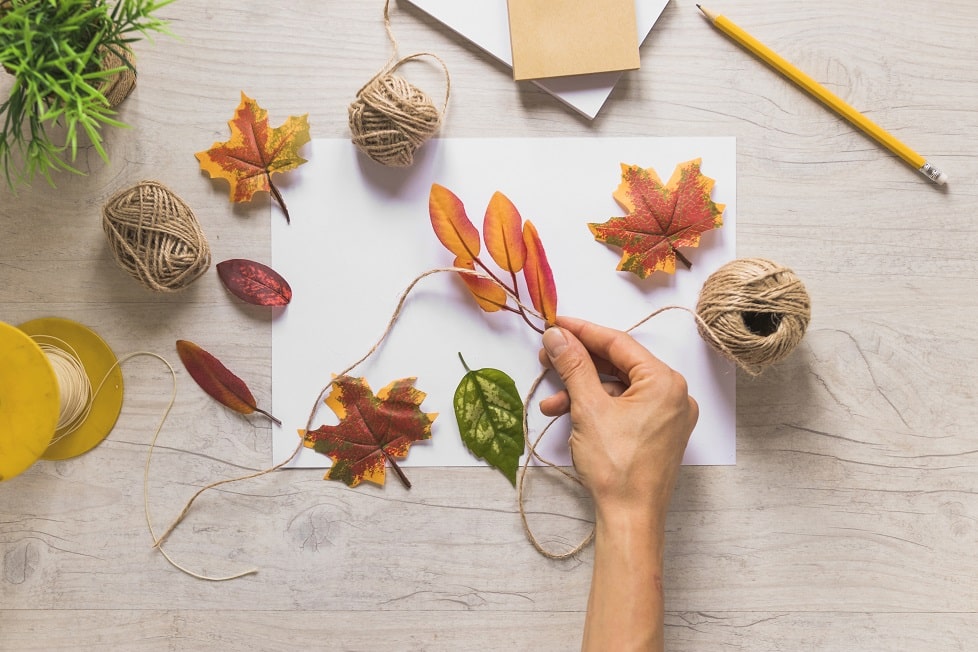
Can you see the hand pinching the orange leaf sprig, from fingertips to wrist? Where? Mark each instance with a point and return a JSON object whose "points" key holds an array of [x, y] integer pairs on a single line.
{"points": [[627, 437]]}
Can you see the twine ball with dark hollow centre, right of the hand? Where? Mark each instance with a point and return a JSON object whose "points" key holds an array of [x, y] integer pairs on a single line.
{"points": [[754, 312]]}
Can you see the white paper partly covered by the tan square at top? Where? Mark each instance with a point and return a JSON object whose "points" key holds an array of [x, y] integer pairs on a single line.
{"points": [[486, 23]]}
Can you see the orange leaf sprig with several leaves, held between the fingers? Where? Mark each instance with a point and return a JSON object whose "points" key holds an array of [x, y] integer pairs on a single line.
{"points": [[512, 244]]}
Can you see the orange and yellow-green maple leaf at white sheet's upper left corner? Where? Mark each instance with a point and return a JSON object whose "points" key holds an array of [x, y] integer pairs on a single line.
{"points": [[255, 152]]}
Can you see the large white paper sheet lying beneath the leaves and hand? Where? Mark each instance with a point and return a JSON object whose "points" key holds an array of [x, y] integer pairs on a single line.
{"points": [[361, 232]]}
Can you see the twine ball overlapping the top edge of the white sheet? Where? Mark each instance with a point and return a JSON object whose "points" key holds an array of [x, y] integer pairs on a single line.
{"points": [[391, 118]]}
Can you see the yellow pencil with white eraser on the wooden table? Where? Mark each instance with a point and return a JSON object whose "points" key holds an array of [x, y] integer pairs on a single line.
{"points": [[773, 59]]}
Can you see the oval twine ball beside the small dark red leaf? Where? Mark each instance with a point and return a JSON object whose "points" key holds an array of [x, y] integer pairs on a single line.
{"points": [[155, 237]]}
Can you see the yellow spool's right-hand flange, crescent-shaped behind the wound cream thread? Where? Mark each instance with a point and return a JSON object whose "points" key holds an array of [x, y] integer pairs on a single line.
{"points": [[97, 359]]}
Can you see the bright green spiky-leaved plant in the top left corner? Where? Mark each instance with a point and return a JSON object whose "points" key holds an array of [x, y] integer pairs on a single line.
{"points": [[71, 64]]}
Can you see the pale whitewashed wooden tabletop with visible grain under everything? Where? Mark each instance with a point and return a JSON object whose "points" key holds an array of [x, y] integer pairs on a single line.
{"points": [[850, 521]]}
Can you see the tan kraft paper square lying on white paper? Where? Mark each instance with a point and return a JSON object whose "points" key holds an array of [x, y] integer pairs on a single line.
{"points": [[554, 38]]}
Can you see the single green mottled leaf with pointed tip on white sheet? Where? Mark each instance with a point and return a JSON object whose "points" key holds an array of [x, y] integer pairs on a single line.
{"points": [[489, 411]]}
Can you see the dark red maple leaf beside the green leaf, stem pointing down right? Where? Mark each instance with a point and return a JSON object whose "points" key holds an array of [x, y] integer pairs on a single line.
{"points": [[373, 430]]}
